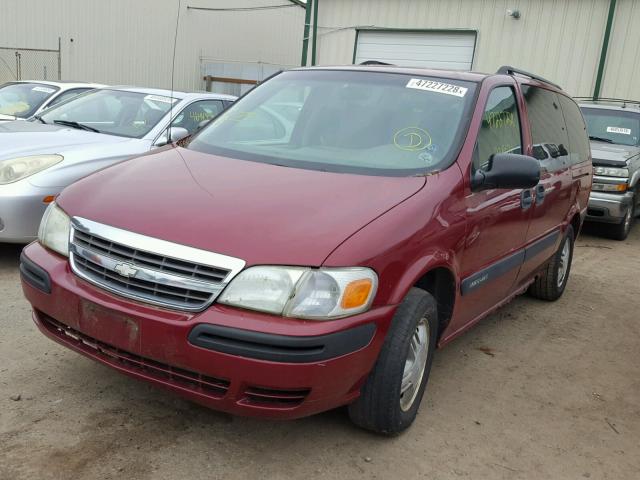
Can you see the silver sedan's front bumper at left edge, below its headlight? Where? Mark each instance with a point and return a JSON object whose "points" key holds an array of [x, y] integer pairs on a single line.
{"points": [[21, 209]]}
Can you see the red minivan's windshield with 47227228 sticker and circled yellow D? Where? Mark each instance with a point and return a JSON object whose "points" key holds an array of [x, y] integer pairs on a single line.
{"points": [[374, 123]]}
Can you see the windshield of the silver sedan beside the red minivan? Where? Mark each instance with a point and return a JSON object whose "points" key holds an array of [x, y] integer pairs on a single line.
{"points": [[114, 112]]}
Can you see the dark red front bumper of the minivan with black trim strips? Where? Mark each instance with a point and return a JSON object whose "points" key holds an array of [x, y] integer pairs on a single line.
{"points": [[154, 345]]}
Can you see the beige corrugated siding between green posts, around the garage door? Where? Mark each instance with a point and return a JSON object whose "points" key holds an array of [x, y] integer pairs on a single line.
{"points": [[558, 39]]}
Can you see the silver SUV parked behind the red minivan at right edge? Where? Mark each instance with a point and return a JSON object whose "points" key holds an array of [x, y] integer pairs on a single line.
{"points": [[614, 130]]}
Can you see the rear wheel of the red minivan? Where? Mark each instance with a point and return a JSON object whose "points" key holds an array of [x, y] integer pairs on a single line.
{"points": [[548, 285]]}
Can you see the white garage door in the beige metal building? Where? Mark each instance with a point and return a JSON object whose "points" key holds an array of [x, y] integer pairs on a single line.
{"points": [[451, 50]]}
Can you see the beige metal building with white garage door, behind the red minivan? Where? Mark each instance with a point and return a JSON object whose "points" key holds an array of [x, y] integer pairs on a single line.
{"points": [[562, 40]]}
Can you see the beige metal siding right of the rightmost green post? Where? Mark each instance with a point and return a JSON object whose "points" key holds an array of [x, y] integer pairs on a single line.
{"points": [[622, 71]]}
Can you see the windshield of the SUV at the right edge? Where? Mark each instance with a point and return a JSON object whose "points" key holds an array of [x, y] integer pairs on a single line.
{"points": [[618, 126]]}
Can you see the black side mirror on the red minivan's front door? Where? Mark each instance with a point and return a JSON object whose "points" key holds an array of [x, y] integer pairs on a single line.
{"points": [[507, 170]]}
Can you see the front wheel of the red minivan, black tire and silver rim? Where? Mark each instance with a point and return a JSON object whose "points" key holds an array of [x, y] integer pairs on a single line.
{"points": [[379, 406]]}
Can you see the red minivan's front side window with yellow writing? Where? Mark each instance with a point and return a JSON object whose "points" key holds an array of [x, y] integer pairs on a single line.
{"points": [[500, 129]]}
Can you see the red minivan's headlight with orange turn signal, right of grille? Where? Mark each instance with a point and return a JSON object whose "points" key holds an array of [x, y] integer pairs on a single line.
{"points": [[316, 294]]}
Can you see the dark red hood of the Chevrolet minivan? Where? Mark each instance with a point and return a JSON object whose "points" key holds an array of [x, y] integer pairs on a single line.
{"points": [[261, 213]]}
